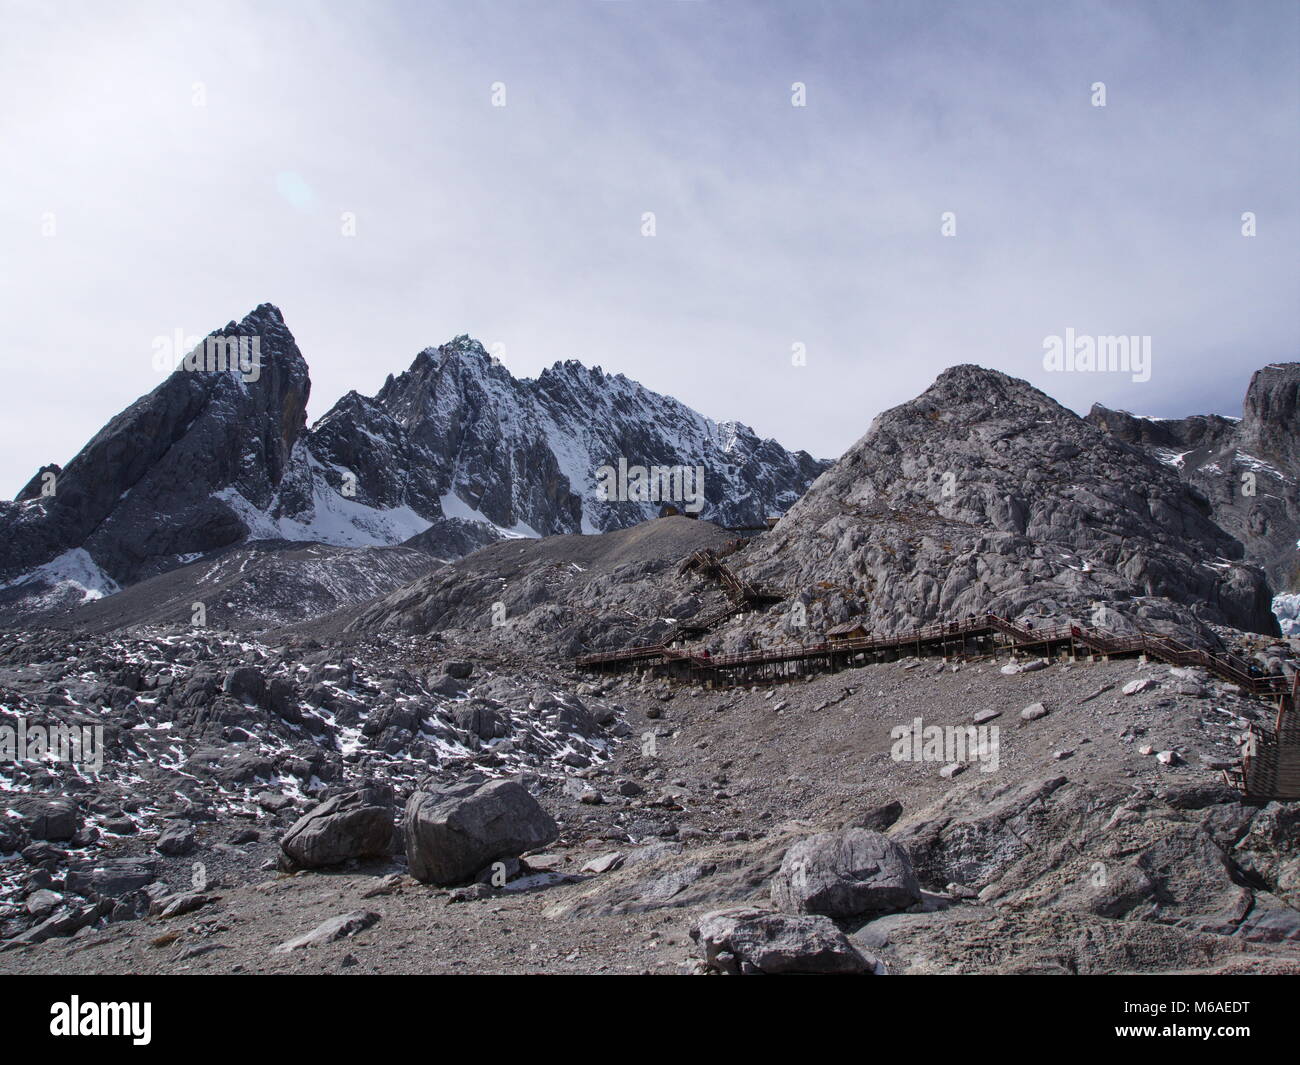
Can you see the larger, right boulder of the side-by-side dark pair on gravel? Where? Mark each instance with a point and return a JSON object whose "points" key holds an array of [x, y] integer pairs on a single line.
{"points": [[454, 833]]}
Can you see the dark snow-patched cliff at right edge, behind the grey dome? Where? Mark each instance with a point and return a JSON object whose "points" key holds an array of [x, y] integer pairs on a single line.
{"points": [[1247, 471]]}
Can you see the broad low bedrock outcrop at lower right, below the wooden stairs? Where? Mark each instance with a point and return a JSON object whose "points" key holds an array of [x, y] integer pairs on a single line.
{"points": [[1104, 851]]}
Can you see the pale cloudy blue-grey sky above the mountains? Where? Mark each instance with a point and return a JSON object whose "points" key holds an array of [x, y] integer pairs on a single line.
{"points": [[171, 166]]}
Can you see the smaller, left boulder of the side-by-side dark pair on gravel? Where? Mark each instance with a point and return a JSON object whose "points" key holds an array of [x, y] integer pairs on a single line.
{"points": [[354, 825]]}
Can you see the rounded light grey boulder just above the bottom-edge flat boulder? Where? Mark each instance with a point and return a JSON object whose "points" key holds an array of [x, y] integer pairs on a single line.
{"points": [[846, 874]]}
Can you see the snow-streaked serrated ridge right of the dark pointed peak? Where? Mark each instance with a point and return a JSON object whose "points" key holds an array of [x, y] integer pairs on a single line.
{"points": [[523, 454]]}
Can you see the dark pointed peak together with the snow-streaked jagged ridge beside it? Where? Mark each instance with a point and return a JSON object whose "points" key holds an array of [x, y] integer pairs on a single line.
{"points": [[450, 456]]}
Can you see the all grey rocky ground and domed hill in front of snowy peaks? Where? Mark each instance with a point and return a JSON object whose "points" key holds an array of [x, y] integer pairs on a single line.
{"points": [[379, 760]]}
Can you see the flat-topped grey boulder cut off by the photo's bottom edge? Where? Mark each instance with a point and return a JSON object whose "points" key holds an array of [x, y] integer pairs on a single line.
{"points": [[746, 941]]}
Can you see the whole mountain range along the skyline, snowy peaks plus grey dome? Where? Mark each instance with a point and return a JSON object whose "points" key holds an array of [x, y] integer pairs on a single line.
{"points": [[983, 493]]}
